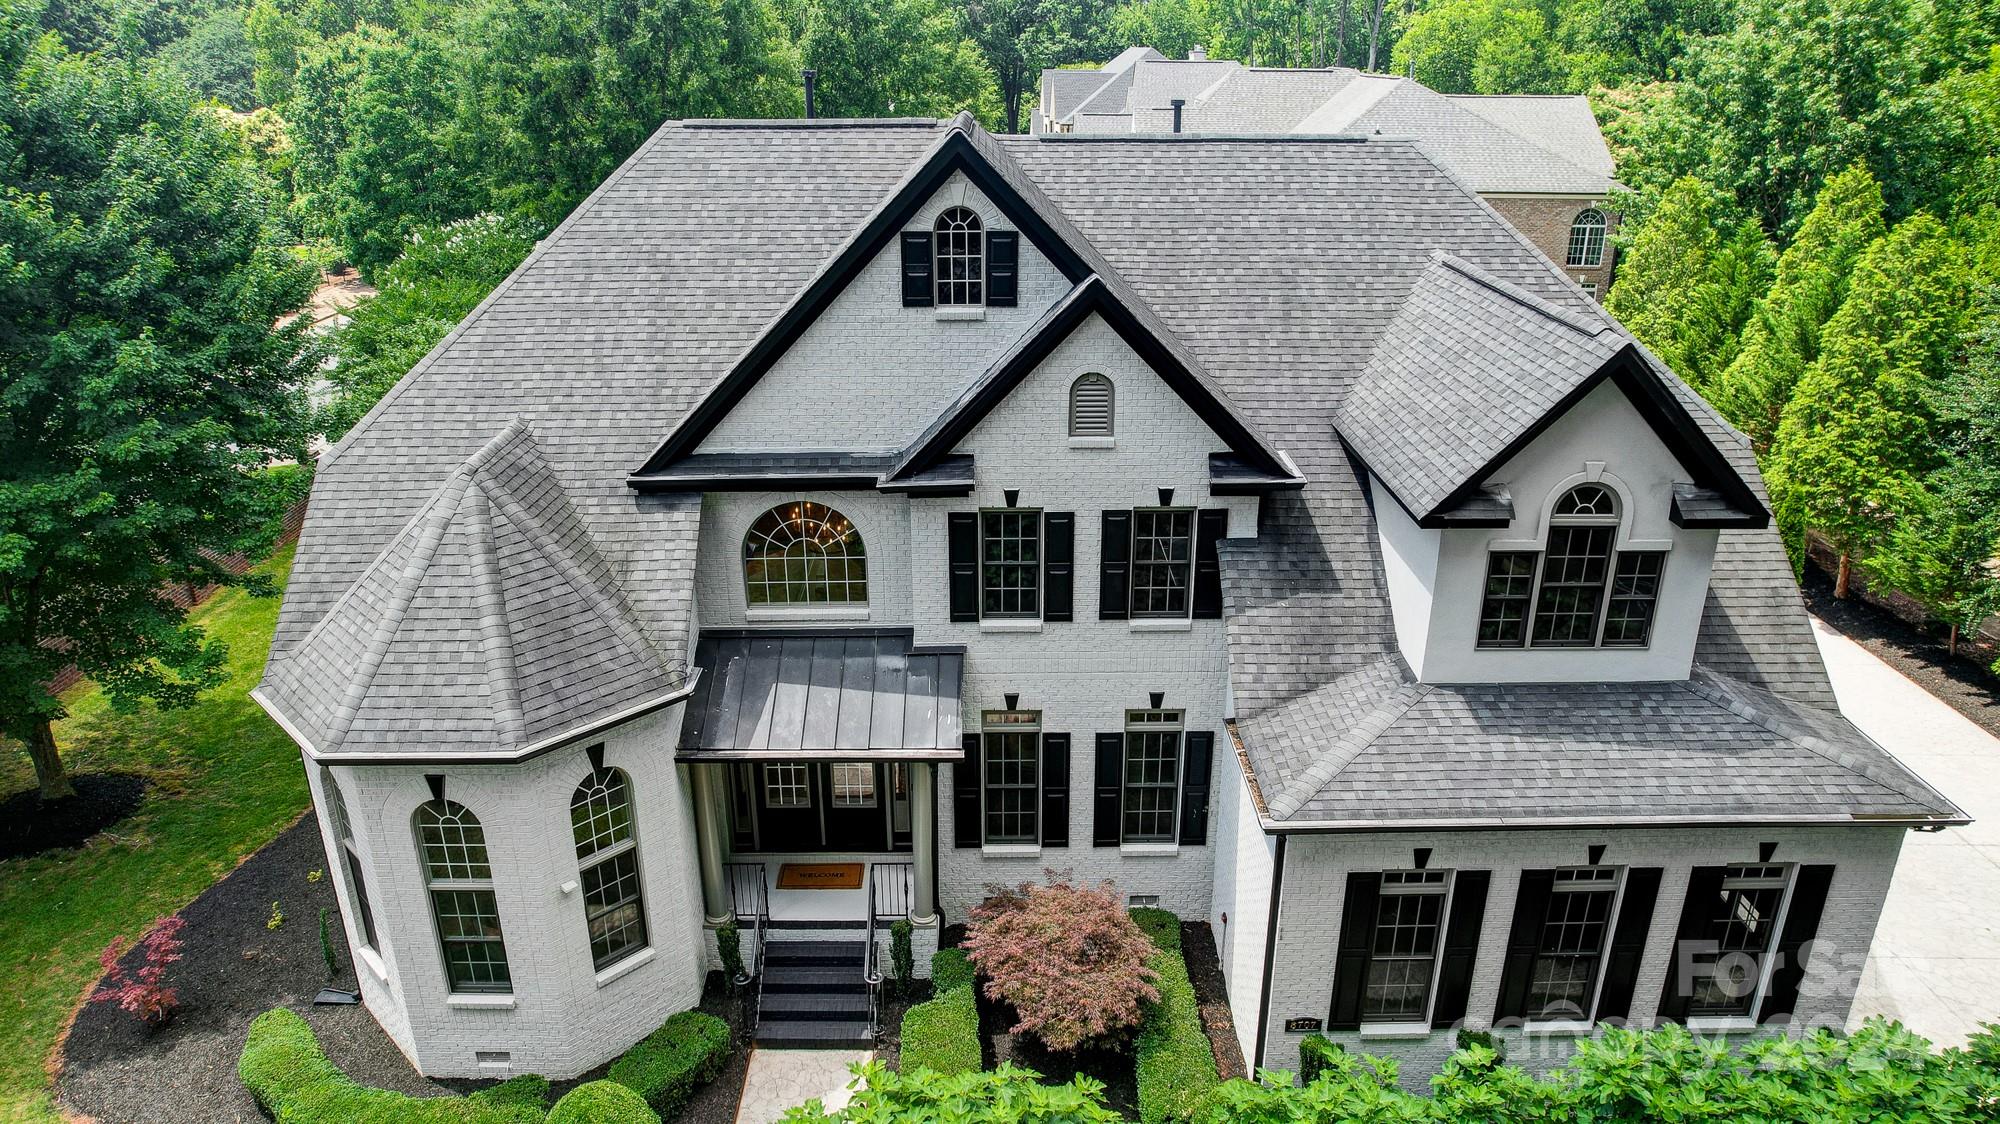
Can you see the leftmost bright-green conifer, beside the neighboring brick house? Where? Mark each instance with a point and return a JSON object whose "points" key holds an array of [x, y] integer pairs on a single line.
{"points": [[1689, 281]]}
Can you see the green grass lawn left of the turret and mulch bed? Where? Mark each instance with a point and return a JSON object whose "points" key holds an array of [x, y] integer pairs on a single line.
{"points": [[225, 781]]}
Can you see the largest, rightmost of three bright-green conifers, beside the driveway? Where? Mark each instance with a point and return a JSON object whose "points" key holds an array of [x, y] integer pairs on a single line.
{"points": [[1861, 429]]}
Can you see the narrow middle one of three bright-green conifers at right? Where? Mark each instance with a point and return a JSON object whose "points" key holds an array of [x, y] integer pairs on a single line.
{"points": [[1783, 335]]}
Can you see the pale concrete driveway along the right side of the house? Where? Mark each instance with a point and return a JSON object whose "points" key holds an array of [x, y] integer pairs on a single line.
{"points": [[1937, 953]]}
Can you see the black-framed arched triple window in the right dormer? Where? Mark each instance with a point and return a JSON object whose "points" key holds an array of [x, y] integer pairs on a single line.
{"points": [[1581, 591]]}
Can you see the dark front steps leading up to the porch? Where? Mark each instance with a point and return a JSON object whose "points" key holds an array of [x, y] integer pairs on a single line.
{"points": [[815, 997]]}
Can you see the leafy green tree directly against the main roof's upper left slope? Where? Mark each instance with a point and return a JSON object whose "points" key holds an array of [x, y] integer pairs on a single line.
{"points": [[425, 293]]}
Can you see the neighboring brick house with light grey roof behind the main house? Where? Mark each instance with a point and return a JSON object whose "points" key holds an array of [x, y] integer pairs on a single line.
{"points": [[1539, 161]]}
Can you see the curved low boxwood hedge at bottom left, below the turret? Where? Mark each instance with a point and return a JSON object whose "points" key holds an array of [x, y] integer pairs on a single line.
{"points": [[295, 1083]]}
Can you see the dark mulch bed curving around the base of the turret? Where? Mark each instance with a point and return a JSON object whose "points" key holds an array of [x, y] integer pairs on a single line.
{"points": [[237, 969]]}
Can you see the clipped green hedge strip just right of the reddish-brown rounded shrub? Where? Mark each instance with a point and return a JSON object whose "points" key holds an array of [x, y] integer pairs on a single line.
{"points": [[1175, 1067]]}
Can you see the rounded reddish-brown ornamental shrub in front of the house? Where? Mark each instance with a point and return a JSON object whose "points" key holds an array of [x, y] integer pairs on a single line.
{"points": [[1069, 959]]}
